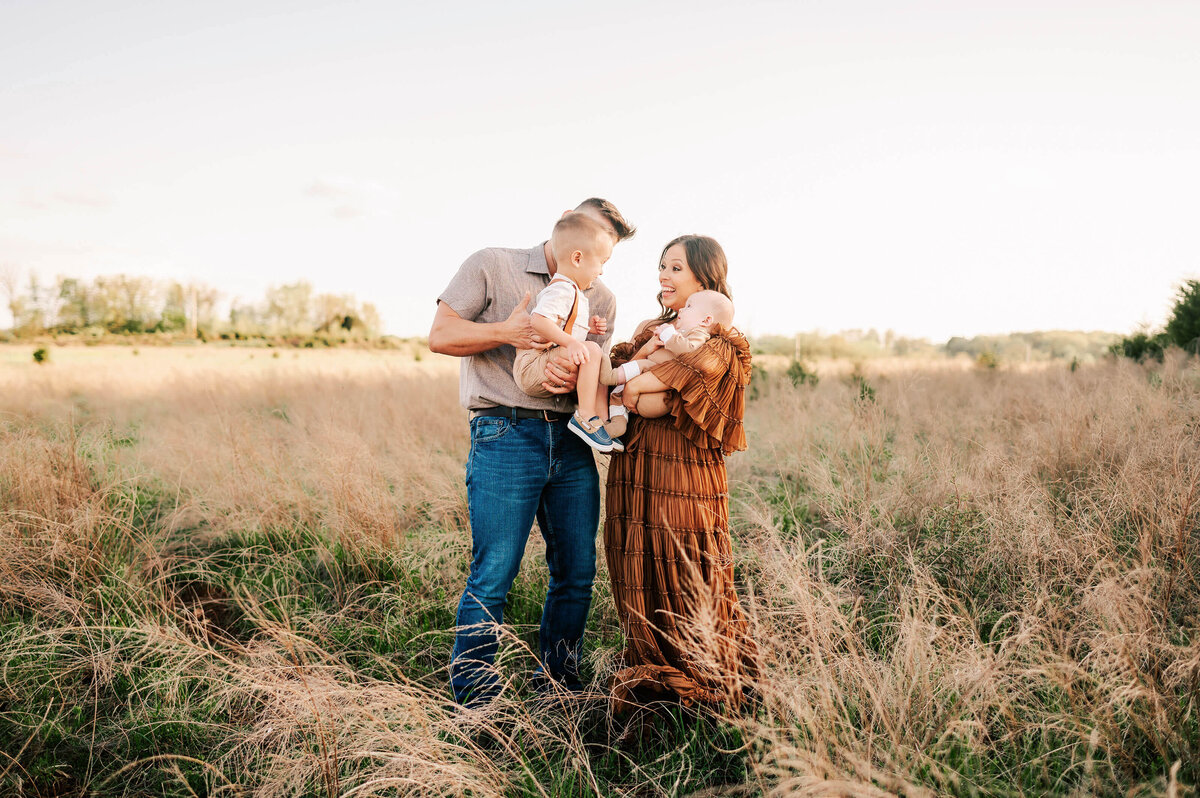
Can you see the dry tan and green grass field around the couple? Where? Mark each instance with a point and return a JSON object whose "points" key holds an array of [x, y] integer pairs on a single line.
{"points": [[235, 572]]}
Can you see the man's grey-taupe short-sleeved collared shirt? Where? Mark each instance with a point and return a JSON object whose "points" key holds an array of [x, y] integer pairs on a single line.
{"points": [[487, 289]]}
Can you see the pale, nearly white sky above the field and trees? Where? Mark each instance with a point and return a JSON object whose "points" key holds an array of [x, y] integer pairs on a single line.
{"points": [[937, 169]]}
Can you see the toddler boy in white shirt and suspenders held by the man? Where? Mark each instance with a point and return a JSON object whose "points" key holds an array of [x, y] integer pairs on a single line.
{"points": [[581, 247]]}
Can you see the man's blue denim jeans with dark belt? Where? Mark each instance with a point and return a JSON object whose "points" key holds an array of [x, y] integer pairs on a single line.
{"points": [[520, 470]]}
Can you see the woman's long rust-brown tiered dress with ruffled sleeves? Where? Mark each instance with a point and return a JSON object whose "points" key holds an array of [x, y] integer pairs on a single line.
{"points": [[668, 535]]}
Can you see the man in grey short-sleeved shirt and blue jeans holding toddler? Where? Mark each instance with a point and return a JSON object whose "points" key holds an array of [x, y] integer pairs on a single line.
{"points": [[524, 464]]}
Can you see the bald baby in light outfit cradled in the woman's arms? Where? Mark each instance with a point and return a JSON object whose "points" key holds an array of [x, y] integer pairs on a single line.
{"points": [[692, 328]]}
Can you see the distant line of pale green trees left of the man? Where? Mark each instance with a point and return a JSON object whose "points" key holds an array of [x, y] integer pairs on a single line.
{"points": [[129, 305]]}
